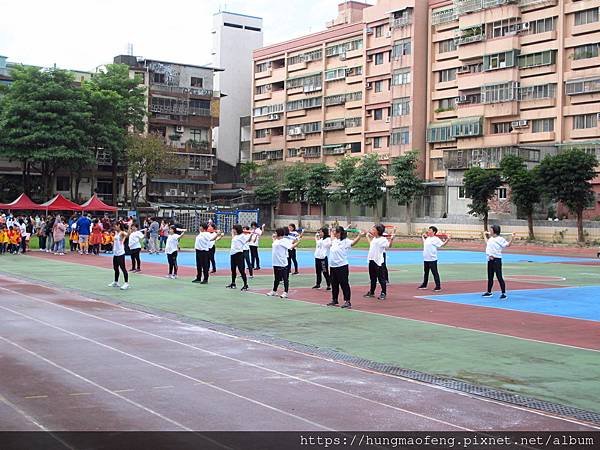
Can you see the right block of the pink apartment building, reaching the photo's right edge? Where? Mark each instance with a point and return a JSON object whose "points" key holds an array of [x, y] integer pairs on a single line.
{"points": [[509, 77]]}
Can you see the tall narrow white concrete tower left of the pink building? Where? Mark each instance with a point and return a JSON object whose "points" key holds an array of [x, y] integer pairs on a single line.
{"points": [[235, 36]]}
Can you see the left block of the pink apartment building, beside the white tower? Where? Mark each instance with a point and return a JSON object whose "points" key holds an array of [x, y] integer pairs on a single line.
{"points": [[350, 89]]}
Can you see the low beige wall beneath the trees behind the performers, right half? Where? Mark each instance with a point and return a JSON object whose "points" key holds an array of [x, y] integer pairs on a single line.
{"points": [[465, 228]]}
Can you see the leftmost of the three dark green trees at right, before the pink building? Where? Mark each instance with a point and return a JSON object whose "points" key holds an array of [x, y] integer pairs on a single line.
{"points": [[480, 186]]}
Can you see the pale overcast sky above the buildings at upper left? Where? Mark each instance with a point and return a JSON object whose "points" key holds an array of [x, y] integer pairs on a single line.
{"points": [[84, 34]]}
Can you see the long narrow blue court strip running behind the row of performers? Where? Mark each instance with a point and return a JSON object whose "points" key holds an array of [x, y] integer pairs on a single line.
{"points": [[358, 257]]}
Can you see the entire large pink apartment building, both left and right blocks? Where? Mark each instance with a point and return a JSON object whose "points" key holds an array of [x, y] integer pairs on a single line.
{"points": [[463, 81]]}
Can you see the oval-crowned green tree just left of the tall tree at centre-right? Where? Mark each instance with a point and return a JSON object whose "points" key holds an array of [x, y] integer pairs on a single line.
{"points": [[368, 183]]}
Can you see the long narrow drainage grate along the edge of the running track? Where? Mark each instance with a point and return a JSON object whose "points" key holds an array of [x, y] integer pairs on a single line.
{"points": [[331, 354]]}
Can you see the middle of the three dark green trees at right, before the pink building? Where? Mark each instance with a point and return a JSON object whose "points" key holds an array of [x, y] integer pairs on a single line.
{"points": [[525, 186]]}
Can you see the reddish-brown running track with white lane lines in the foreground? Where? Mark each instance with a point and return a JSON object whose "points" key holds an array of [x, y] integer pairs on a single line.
{"points": [[73, 363]]}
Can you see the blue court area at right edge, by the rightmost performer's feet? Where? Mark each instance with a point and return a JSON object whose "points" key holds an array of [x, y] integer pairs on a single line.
{"points": [[572, 302]]}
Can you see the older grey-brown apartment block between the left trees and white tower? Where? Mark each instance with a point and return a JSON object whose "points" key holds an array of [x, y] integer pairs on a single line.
{"points": [[184, 109]]}
